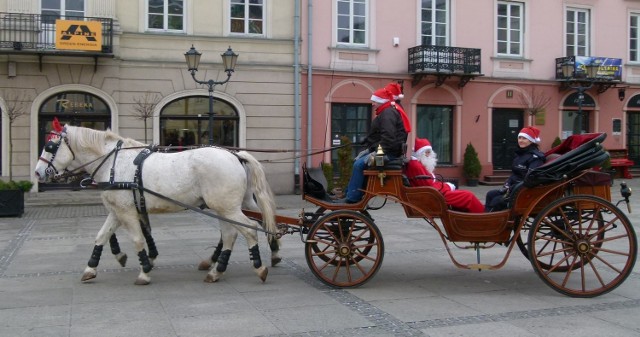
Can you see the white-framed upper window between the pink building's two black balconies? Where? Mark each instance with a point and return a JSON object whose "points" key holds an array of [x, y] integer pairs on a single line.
{"points": [[511, 33]]}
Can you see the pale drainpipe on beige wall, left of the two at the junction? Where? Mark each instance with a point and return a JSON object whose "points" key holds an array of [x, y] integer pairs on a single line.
{"points": [[296, 96]]}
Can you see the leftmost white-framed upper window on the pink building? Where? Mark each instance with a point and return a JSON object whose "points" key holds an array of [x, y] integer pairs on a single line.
{"points": [[352, 22]]}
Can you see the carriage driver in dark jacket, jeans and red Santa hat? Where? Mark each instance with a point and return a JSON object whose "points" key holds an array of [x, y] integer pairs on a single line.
{"points": [[389, 130]]}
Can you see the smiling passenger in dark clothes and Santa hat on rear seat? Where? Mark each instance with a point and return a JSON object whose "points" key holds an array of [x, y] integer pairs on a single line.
{"points": [[528, 157]]}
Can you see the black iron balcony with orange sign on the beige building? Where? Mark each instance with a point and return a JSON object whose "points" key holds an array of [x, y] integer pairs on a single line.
{"points": [[36, 34]]}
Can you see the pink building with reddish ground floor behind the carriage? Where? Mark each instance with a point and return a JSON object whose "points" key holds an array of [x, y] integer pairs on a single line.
{"points": [[473, 72]]}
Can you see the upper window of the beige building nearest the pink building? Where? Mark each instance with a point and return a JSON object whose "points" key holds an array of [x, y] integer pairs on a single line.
{"points": [[247, 16]]}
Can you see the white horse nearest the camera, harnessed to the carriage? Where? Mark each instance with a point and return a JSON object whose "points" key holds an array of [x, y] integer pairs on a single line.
{"points": [[214, 177]]}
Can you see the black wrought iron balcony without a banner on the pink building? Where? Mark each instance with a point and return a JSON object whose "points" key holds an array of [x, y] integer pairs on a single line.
{"points": [[444, 62]]}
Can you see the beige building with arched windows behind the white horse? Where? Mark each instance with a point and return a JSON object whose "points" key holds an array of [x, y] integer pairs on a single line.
{"points": [[120, 64]]}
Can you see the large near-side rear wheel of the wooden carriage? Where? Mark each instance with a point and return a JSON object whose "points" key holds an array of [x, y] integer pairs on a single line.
{"points": [[584, 246]]}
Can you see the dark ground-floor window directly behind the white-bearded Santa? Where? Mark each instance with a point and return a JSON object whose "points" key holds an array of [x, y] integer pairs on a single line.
{"points": [[435, 122]]}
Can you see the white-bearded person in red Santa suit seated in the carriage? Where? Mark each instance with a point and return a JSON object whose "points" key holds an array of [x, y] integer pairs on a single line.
{"points": [[420, 169]]}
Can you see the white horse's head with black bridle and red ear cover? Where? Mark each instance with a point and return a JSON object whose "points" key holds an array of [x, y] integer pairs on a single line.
{"points": [[57, 155]]}
